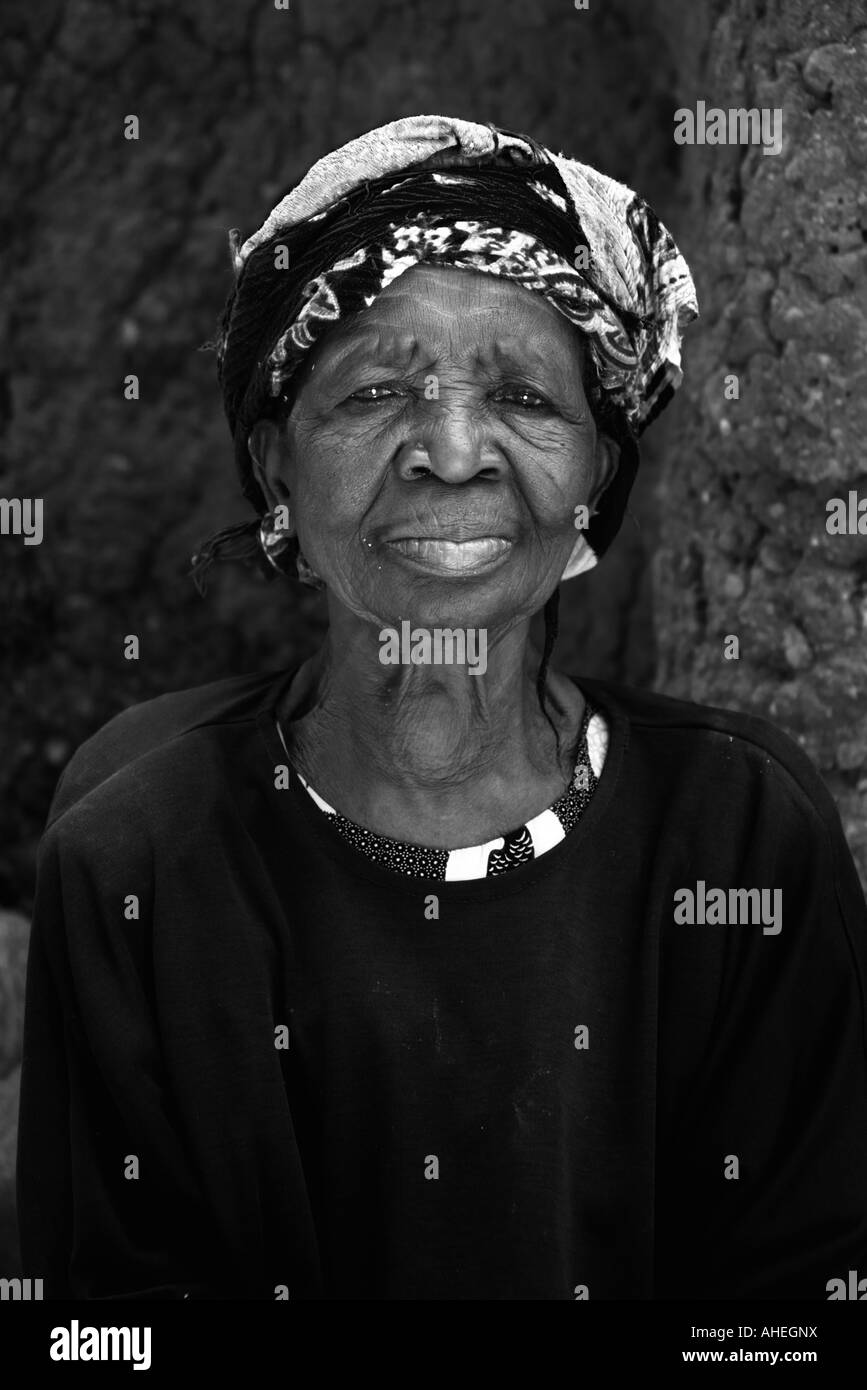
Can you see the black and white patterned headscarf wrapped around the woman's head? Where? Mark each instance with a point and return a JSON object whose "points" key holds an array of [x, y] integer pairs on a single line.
{"points": [[449, 193]]}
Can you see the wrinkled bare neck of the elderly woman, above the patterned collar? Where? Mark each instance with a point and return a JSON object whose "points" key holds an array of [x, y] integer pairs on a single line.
{"points": [[433, 754]]}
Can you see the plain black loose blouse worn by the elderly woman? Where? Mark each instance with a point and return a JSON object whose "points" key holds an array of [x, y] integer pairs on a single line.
{"points": [[259, 1065]]}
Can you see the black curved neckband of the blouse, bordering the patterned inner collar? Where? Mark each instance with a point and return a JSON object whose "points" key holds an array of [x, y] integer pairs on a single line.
{"points": [[298, 811]]}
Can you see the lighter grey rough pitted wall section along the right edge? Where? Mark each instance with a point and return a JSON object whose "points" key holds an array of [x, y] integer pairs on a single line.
{"points": [[779, 250]]}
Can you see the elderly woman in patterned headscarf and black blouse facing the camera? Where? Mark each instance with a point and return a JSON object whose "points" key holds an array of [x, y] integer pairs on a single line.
{"points": [[412, 975]]}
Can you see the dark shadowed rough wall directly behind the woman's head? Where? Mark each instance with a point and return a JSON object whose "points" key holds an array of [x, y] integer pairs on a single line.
{"points": [[116, 262]]}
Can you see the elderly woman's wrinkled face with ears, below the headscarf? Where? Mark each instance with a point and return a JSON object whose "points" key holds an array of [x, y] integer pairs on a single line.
{"points": [[437, 450]]}
